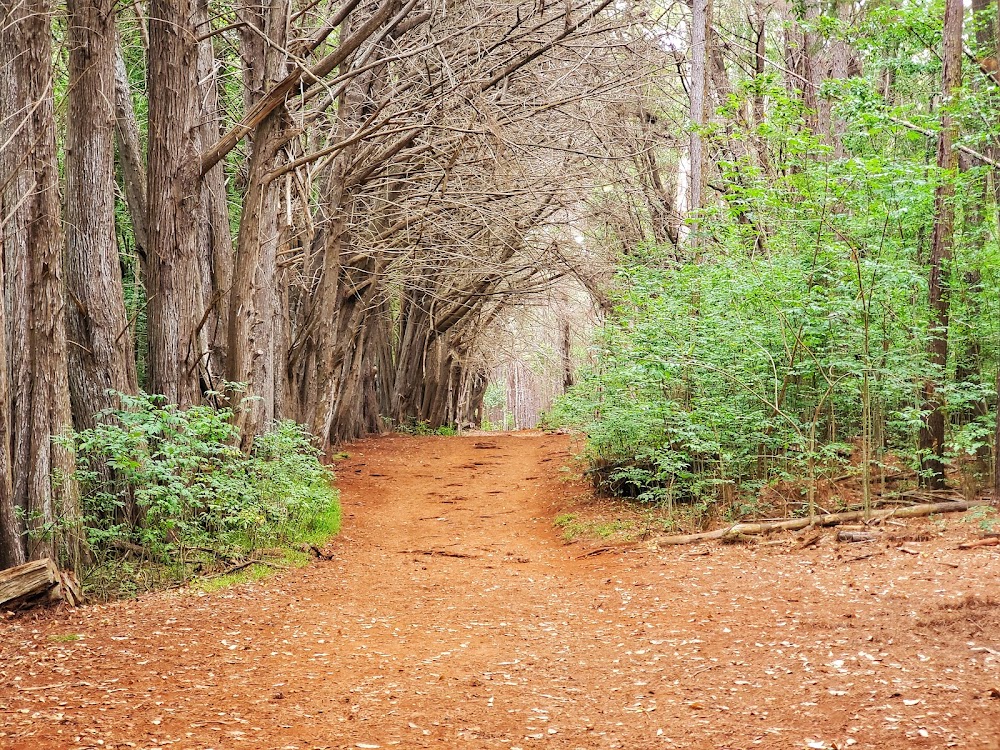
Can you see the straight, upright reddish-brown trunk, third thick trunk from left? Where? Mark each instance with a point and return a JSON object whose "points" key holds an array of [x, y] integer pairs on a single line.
{"points": [[175, 307]]}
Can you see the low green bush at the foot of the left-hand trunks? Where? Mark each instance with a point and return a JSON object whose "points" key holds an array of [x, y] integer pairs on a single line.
{"points": [[167, 496]]}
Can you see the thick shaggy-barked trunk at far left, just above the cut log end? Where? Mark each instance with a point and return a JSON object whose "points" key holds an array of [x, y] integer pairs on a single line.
{"points": [[33, 276]]}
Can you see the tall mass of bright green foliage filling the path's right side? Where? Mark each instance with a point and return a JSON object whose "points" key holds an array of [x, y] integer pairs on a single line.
{"points": [[795, 345]]}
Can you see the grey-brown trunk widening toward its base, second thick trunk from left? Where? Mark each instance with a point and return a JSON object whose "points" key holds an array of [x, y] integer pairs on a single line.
{"points": [[101, 355]]}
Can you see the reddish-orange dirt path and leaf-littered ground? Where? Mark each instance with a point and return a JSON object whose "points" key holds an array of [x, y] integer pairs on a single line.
{"points": [[454, 615]]}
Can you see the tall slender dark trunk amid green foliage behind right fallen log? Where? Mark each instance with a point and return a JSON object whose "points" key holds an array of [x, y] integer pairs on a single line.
{"points": [[932, 433]]}
